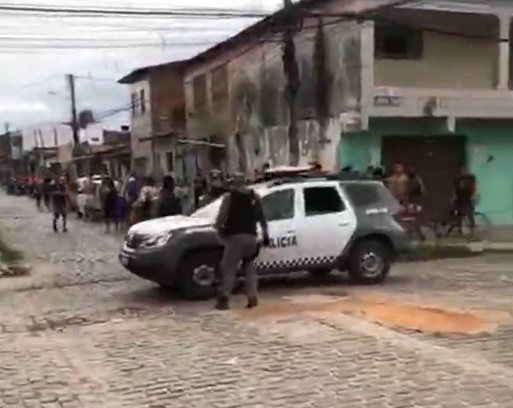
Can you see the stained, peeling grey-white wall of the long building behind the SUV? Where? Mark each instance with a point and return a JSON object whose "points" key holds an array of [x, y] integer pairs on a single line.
{"points": [[254, 120]]}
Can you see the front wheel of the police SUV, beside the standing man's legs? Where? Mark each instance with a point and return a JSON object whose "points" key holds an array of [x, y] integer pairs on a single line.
{"points": [[202, 287]]}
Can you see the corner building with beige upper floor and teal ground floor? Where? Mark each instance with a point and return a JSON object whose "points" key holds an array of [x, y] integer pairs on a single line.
{"points": [[437, 96]]}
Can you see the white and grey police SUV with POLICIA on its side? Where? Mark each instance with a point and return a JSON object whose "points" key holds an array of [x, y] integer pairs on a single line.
{"points": [[318, 222]]}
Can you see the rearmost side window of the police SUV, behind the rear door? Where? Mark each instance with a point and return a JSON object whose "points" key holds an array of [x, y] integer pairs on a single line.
{"points": [[369, 195]]}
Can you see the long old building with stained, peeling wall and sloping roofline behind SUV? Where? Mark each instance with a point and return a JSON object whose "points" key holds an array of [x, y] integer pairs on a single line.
{"points": [[236, 91]]}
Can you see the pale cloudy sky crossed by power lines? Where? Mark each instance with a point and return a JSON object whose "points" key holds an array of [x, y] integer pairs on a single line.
{"points": [[38, 50]]}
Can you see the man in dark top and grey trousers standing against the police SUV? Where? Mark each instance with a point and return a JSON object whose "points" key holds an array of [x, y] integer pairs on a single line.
{"points": [[240, 212]]}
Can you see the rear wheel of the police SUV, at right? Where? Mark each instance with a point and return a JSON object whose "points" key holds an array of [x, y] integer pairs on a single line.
{"points": [[357, 268]]}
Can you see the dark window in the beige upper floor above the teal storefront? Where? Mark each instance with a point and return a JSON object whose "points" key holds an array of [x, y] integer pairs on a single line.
{"points": [[397, 42]]}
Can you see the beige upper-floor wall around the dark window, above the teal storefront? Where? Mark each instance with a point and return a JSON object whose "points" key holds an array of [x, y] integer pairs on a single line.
{"points": [[448, 61]]}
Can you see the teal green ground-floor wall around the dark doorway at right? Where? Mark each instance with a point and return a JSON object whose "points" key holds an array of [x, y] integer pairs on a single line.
{"points": [[484, 138]]}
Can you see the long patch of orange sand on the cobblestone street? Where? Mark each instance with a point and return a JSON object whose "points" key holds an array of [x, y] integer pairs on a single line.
{"points": [[412, 317]]}
